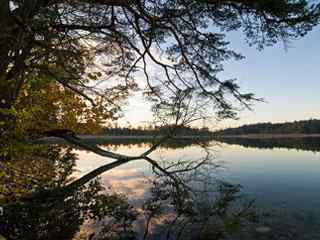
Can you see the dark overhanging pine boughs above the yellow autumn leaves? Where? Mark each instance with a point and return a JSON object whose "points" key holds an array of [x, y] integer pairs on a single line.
{"points": [[185, 39]]}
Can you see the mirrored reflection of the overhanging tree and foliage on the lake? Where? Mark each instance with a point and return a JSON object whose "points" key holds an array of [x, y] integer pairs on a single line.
{"points": [[119, 205]]}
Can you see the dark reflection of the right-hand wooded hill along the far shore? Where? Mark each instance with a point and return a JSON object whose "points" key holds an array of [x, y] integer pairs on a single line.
{"points": [[308, 144]]}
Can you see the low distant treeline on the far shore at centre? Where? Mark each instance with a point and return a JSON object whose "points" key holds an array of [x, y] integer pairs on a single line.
{"points": [[139, 131]]}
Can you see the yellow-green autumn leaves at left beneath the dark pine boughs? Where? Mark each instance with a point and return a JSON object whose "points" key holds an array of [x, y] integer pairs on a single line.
{"points": [[59, 108]]}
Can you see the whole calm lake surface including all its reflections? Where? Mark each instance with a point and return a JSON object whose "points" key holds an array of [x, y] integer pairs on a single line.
{"points": [[228, 189]]}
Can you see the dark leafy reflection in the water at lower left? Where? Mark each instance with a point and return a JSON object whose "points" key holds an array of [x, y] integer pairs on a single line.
{"points": [[36, 169]]}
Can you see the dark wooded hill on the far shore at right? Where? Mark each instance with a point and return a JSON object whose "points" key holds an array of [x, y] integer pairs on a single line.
{"points": [[311, 126]]}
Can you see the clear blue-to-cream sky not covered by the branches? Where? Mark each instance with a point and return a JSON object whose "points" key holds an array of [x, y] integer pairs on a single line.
{"points": [[288, 79]]}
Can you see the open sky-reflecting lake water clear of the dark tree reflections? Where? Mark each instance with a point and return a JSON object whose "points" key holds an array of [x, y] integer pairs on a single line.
{"points": [[282, 176]]}
